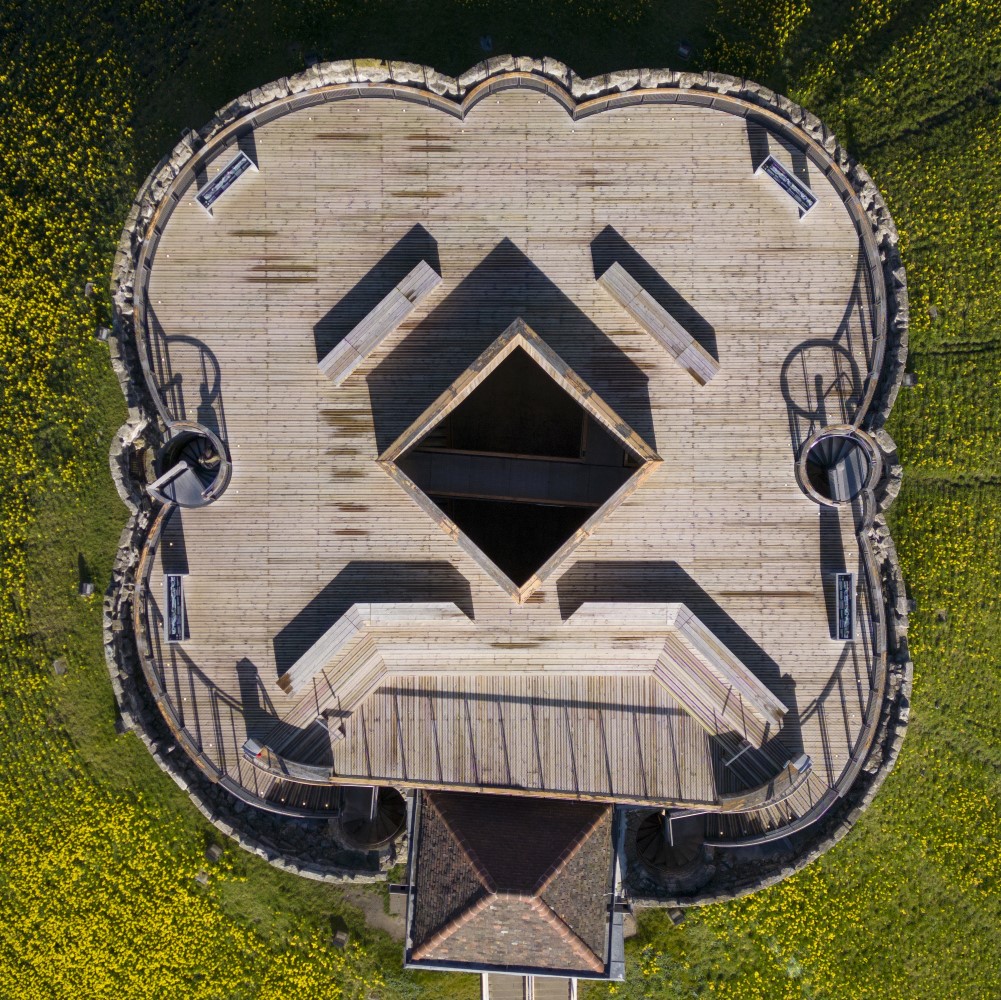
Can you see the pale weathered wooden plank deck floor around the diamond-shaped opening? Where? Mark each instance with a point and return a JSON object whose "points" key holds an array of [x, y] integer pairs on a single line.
{"points": [[516, 203]]}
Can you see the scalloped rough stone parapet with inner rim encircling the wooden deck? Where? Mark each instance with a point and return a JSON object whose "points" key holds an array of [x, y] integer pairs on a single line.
{"points": [[259, 831]]}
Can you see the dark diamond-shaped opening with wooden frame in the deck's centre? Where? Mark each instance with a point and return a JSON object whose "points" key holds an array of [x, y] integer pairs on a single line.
{"points": [[519, 461]]}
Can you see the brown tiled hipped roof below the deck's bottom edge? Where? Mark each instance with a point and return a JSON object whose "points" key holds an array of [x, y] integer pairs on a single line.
{"points": [[512, 881]]}
